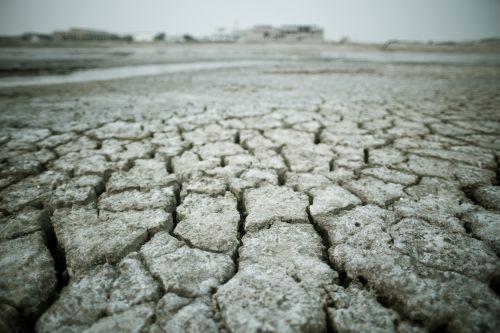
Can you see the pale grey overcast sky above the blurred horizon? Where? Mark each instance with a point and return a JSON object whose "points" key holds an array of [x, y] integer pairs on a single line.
{"points": [[361, 20]]}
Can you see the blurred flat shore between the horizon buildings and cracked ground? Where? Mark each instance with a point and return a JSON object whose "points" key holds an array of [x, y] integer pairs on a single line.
{"points": [[55, 58]]}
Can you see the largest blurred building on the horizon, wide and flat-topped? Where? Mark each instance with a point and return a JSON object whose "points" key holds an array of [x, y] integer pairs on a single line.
{"points": [[287, 33]]}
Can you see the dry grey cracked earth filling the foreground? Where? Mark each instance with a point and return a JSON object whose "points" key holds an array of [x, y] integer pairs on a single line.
{"points": [[298, 196]]}
